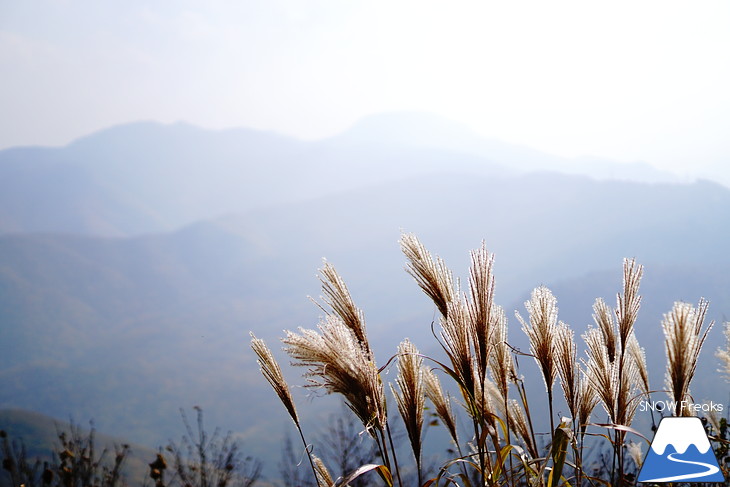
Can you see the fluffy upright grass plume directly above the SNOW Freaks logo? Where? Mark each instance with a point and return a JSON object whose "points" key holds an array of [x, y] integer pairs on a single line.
{"points": [[683, 339]]}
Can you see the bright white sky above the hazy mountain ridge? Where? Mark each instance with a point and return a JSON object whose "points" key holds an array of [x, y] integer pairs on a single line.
{"points": [[625, 80]]}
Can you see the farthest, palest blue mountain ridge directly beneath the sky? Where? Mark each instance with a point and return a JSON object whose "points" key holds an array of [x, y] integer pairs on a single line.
{"points": [[147, 177]]}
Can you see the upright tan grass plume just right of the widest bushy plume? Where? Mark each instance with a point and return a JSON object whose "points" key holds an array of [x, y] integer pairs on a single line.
{"points": [[411, 399]]}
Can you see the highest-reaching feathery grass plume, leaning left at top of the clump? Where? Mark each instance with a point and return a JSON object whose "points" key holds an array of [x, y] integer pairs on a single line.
{"points": [[433, 277]]}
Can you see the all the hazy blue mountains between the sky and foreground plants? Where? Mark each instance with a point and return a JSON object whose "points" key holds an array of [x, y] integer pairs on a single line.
{"points": [[134, 262]]}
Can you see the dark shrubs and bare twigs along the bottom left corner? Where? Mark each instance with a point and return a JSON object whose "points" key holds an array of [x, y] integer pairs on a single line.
{"points": [[199, 459]]}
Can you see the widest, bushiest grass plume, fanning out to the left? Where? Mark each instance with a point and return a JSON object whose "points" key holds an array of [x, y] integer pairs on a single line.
{"points": [[338, 363]]}
